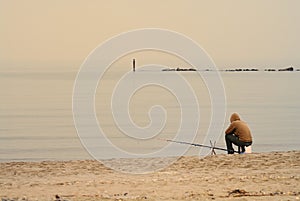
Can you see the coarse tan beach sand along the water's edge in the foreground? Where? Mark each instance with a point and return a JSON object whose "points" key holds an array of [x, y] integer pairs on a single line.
{"points": [[257, 176]]}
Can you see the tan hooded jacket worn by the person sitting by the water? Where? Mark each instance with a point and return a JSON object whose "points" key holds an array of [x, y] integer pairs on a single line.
{"points": [[239, 128]]}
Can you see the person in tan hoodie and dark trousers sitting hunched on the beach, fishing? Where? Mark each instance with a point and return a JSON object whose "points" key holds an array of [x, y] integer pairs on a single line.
{"points": [[237, 133]]}
